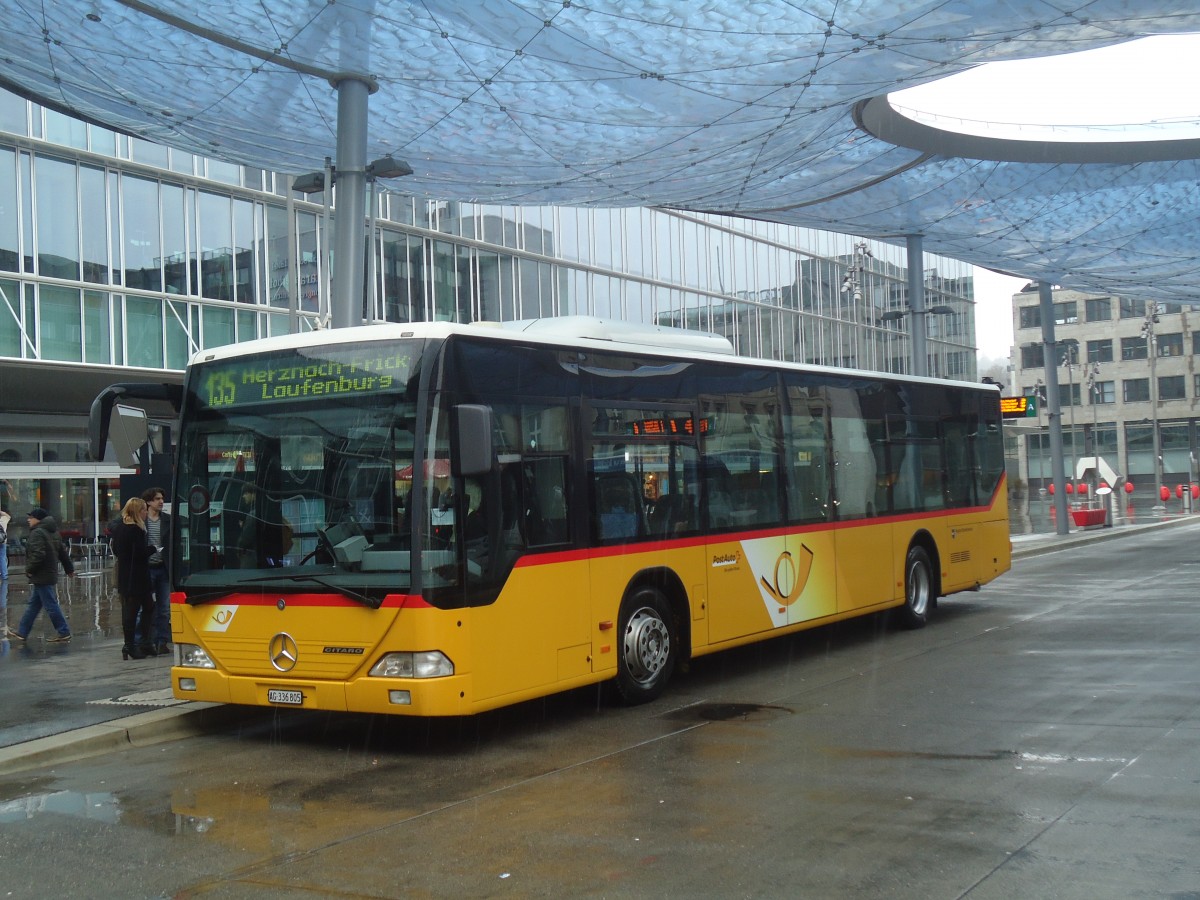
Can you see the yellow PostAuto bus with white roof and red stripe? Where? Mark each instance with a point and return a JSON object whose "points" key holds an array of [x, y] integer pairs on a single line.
{"points": [[439, 520]]}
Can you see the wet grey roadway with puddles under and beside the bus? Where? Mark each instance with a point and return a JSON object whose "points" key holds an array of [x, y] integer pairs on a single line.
{"points": [[1041, 740]]}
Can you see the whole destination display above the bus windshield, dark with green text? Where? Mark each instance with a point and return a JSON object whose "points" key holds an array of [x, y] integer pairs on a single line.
{"points": [[310, 374]]}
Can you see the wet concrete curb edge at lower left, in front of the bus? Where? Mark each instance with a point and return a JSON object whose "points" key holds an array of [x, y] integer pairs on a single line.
{"points": [[158, 727]]}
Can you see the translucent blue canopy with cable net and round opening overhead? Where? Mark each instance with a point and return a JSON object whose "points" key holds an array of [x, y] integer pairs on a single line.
{"points": [[757, 109]]}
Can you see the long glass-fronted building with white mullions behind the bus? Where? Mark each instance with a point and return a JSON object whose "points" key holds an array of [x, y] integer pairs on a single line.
{"points": [[119, 256]]}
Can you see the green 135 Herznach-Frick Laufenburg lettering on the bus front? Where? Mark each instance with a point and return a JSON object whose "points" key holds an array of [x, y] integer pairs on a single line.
{"points": [[257, 381]]}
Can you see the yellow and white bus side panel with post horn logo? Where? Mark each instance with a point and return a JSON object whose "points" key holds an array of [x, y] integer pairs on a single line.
{"points": [[761, 584]]}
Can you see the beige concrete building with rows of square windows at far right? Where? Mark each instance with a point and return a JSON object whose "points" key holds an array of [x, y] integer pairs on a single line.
{"points": [[1124, 365]]}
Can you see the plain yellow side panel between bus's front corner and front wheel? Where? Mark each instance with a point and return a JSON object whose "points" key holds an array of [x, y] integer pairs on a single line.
{"points": [[542, 611]]}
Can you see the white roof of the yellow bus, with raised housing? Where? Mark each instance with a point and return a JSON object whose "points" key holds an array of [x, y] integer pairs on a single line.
{"points": [[581, 332]]}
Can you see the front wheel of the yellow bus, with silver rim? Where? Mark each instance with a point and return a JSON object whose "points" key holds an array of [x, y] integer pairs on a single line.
{"points": [[650, 646]]}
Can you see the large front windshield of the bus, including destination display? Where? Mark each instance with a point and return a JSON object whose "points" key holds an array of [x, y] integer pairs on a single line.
{"points": [[295, 471]]}
